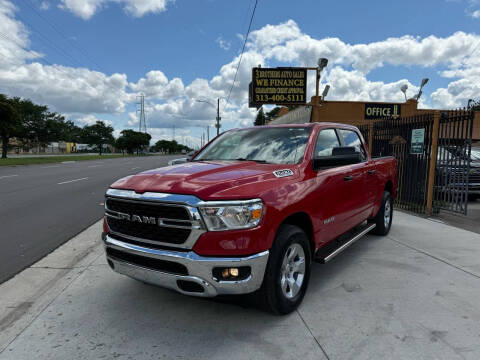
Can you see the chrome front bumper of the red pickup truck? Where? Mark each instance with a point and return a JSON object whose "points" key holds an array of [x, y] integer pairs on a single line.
{"points": [[199, 269]]}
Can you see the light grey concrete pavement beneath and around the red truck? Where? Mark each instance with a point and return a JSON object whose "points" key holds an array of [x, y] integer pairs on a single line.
{"points": [[414, 294]]}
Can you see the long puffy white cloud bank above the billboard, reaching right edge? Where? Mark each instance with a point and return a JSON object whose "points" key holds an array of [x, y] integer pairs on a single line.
{"points": [[288, 44]]}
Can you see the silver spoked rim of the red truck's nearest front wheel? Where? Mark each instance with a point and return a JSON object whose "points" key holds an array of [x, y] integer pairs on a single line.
{"points": [[292, 272]]}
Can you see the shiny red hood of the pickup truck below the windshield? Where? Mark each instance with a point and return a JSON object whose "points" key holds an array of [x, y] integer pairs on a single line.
{"points": [[210, 180]]}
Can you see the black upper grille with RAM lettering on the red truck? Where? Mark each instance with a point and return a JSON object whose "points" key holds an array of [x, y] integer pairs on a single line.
{"points": [[149, 222]]}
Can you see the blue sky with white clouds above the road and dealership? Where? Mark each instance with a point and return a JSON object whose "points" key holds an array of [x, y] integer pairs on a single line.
{"points": [[177, 51]]}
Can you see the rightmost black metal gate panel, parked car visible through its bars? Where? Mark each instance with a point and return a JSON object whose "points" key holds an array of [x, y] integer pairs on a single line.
{"points": [[452, 170]]}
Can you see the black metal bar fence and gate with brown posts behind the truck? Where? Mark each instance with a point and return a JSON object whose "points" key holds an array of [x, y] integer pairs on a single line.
{"points": [[426, 185]]}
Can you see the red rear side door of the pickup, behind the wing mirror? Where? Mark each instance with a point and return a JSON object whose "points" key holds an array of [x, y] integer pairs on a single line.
{"points": [[358, 204]]}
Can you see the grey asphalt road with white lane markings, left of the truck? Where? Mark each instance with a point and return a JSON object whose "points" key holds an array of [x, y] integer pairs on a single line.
{"points": [[42, 206]]}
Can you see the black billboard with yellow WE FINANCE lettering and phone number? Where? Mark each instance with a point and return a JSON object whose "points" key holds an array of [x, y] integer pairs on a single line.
{"points": [[279, 86]]}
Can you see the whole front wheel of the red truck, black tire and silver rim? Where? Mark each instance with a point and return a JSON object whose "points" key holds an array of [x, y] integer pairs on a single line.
{"points": [[288, 271]]}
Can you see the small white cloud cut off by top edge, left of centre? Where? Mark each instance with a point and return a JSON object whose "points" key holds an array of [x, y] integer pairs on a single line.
{"points": [[137, 8]]}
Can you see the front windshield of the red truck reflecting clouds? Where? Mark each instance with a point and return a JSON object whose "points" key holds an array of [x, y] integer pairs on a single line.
{"points": [[265, 145]]}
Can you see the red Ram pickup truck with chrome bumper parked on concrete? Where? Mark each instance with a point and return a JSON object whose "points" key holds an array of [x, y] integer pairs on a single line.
{"points": [[250, 212]]}
